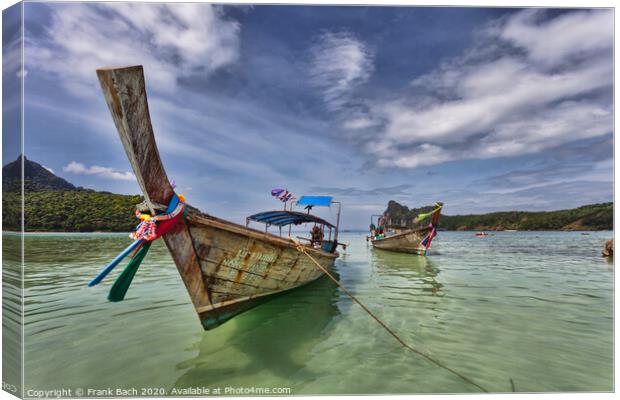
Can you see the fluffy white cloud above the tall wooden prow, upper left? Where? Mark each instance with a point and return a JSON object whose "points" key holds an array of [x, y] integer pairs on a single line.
{"points": [[170, 40]]}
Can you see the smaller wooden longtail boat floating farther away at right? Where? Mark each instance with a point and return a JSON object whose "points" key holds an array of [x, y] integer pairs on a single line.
{"points": [[415, 241]]}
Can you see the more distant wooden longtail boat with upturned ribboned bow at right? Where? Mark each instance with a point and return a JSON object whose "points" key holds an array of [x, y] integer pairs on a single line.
{"points": [[415, 241]]}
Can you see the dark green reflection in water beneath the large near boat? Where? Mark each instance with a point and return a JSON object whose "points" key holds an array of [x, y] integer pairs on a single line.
{"points": [[273, 340]]}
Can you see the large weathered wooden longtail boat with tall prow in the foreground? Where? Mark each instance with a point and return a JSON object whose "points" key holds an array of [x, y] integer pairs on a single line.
{"points": [[226, 267]]}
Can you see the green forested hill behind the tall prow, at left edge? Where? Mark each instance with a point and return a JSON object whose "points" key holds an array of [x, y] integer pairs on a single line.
{"points": [[53, 204]]}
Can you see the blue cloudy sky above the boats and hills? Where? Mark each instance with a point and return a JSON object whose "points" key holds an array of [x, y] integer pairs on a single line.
{"points": [[485, 109]]}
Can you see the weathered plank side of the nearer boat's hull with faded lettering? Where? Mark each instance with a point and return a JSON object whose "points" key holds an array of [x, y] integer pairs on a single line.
{"points": [[240, 266]]}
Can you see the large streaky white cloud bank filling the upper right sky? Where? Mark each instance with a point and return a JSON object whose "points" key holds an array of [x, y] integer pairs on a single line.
{"points": [[524, 88]]}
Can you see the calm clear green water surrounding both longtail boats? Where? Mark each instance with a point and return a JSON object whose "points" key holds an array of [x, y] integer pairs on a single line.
{"points": [[534, 307]]}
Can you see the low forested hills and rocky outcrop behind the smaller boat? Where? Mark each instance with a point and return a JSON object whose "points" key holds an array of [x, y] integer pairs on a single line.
{"points": [[588, 217]]}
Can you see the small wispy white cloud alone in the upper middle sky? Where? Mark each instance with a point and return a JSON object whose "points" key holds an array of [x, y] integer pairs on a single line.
{"points": [[340, 63]]}
